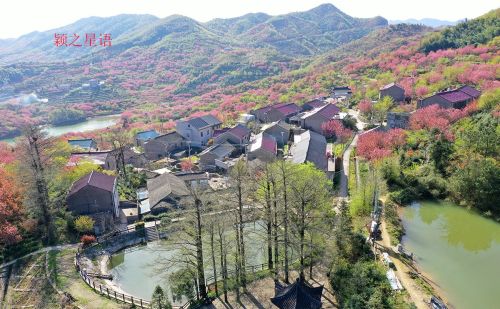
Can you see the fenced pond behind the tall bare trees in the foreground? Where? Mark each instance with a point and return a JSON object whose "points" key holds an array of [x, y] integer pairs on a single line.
{"points": [[138, 270]]}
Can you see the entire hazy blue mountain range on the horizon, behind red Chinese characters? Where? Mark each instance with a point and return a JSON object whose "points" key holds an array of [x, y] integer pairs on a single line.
{"points": [[296, 34]]}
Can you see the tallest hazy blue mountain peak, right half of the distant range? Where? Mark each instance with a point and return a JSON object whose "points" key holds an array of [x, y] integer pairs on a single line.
{"points": [[303, 33]]}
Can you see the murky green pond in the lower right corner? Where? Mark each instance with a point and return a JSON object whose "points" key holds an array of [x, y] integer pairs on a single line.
{"points": [[459, 249]]}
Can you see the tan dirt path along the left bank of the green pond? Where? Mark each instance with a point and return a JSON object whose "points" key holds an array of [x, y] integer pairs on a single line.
{"points": [[416, 292]]}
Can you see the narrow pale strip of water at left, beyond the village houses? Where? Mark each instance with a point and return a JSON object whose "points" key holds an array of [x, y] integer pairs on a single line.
{"points": [[90, 124]]}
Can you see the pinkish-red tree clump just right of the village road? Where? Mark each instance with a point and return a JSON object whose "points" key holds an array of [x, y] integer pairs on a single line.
{"points": [[376, 145]]}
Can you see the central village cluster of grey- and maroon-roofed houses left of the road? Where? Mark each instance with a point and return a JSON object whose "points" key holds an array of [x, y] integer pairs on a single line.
{"points": [[285, 131]]}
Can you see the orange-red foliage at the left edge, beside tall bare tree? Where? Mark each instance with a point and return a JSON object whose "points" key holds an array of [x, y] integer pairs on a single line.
{"points": [[10, 202]]}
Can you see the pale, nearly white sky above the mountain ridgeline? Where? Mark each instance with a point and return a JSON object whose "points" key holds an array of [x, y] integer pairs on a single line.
{"points": [[19, 17]]}
